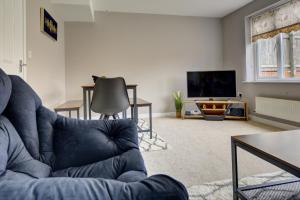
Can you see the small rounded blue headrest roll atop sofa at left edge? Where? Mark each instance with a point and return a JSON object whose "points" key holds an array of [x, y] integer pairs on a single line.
{"points": [[5, 90]]}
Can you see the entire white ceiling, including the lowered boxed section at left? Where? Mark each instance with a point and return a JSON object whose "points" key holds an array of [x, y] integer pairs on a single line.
{"points": [[83, 10]]}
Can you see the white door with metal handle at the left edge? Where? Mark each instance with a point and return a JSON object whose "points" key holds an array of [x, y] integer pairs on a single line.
{"points": [[12, 37]]}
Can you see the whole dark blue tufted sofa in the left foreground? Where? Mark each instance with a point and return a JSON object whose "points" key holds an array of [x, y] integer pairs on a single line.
{"points": [[47, 156]]}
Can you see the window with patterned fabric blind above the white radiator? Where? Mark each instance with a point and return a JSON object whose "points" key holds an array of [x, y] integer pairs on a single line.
{"points": [[274, 42]]}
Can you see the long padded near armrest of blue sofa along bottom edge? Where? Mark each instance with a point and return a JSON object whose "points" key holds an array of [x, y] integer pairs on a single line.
{"points": [[158, 187]]}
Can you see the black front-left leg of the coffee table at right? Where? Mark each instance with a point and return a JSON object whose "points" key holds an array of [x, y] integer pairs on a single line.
{"points": [[234, 169]]}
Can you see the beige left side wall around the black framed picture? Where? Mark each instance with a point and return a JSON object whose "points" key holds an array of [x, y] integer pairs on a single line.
{"points": [[46, 68]]}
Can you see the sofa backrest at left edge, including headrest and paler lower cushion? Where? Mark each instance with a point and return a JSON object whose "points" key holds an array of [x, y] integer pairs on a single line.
{"points": [[19, 150]]}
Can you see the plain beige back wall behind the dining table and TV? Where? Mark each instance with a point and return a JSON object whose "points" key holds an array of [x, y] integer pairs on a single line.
{"points": [[153, 51]]}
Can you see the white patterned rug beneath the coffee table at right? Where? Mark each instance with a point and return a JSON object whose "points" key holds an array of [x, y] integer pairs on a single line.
{"points": [[222, 190]]}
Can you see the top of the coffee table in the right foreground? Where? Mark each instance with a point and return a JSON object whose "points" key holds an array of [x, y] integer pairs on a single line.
{"points": [[282, 147]]}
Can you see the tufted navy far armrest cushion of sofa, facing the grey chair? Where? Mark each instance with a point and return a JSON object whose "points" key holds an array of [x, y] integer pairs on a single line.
{"points": [[78, 142]]}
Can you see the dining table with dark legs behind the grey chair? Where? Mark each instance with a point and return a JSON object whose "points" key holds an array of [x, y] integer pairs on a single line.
{"points": [[87, 96]]}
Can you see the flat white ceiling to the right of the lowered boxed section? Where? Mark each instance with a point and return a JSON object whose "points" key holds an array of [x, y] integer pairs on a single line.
{"points": [[202, 8]]}
